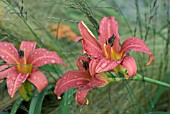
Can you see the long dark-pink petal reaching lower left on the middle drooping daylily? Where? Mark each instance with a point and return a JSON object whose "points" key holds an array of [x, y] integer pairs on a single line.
{"points": [[71, 79]]}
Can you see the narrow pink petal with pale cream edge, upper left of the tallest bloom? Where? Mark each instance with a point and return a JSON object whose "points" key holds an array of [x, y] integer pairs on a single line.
{"points": [[87, 34]]}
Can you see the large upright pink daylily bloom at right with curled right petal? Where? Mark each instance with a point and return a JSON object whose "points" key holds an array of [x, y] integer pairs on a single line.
{"points": [[108, 49]]}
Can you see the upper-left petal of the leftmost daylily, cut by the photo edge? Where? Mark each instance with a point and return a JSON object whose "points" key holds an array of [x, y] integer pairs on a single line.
{"points": [[8, 53]]}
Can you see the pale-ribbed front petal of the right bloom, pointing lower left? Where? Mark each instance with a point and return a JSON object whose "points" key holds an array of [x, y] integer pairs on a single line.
{"points": [[107, 65]]}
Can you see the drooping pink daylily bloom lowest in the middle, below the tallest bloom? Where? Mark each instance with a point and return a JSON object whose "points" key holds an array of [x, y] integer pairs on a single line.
{"points": [[84, 79]]}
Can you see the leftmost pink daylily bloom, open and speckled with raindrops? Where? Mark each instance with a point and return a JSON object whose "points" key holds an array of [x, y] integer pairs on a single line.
{"points": [[23, 64]]}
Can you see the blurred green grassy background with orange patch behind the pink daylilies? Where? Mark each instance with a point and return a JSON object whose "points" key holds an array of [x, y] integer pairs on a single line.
{"points": [[42, 21]]}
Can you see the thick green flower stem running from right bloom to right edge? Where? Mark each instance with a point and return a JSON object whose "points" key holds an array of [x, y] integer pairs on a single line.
{"points": [[138, 77]]}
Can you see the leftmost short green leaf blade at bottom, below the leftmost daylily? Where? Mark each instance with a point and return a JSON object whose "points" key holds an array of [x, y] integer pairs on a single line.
{"points": [[16, 105]]}
